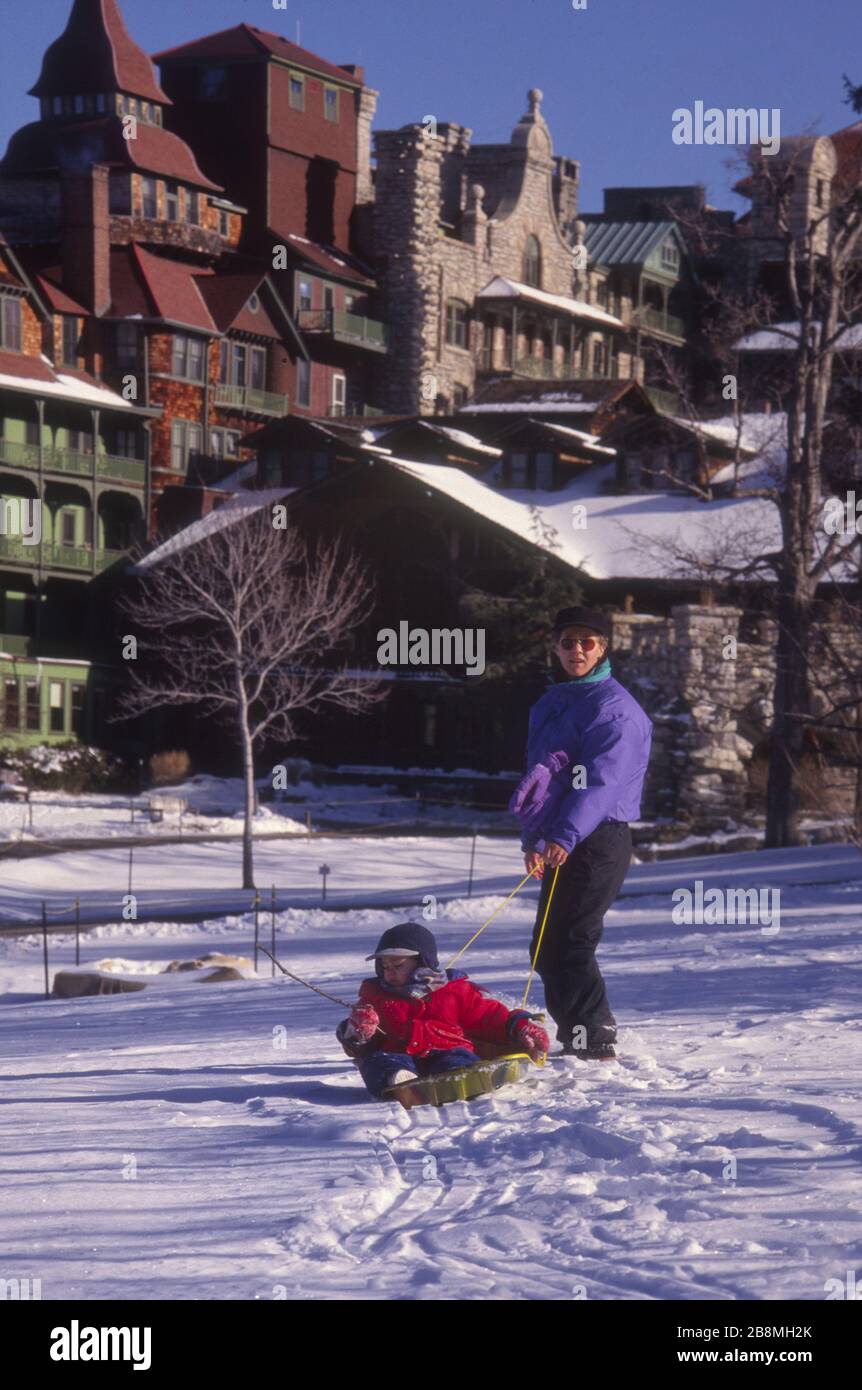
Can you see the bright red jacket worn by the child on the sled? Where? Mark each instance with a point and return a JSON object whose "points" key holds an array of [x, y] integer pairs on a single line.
{"points": [[448, 1018]]}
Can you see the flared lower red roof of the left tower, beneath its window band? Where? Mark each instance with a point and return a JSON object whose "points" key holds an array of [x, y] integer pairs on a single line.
{"points": [[47, 147]]}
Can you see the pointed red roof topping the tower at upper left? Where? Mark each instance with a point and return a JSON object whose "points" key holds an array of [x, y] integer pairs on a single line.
{"points": [[95, 54]]}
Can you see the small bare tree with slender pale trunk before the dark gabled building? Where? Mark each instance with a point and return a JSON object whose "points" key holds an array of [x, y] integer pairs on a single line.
{"points": [[244, 623]]}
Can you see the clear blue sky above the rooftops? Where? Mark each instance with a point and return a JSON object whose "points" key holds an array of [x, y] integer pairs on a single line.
{"points": [[612, 74]]}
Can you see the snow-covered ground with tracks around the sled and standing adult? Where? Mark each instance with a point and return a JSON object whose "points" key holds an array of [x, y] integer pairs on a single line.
{"points": [[212, 1142]]}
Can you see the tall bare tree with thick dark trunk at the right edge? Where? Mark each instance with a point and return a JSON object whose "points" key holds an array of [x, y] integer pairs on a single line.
{"points": [[822, 286]]}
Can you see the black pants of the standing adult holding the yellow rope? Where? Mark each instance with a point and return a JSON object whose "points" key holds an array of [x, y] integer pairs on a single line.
{"points": [[586, 888]]}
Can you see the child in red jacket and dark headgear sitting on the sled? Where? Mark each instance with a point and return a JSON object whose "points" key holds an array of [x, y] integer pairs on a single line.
{"points": [[416, 1020]]}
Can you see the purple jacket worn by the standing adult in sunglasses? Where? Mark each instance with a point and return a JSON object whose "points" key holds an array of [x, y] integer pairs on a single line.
{"points": [[600, 728]]}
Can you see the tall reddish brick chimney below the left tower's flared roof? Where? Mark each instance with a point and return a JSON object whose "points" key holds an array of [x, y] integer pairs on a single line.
{"points": [[86, 238]]}
